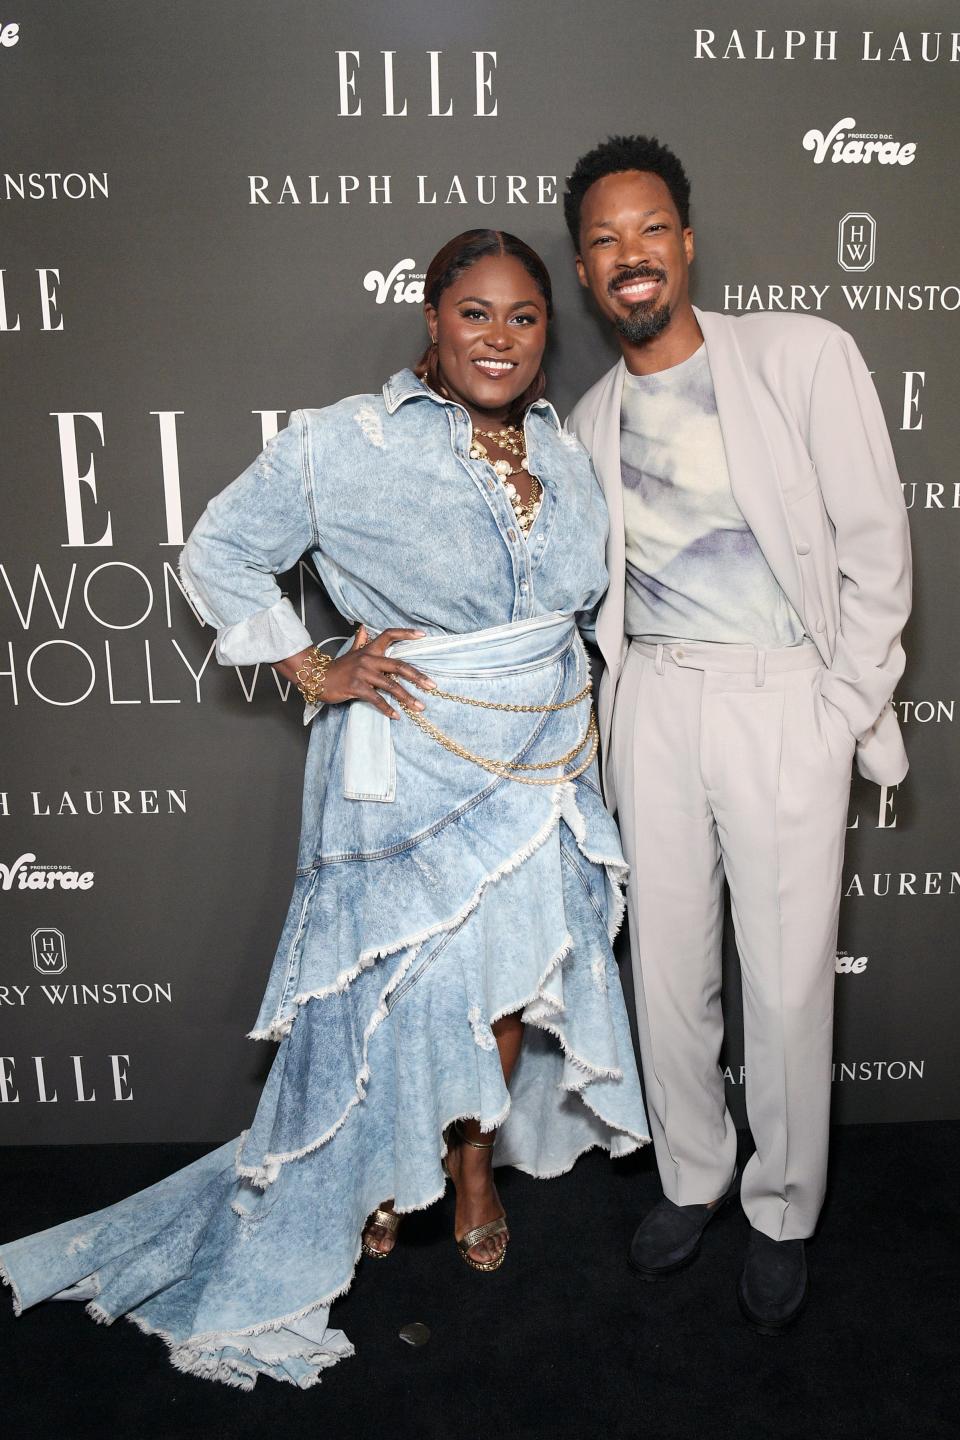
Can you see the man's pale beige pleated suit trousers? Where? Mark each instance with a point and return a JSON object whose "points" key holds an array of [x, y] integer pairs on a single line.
{"points": [[728, 762]]}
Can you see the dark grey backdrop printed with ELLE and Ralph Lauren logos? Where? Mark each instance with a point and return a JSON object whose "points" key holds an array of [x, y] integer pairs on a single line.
{"points": [[212, 214]]}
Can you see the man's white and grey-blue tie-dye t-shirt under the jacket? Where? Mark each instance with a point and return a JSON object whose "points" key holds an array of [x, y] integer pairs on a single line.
{"points": [[694, 570]]}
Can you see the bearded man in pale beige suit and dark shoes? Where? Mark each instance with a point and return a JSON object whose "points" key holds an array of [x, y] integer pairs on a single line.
{"points": [[759, 565]]}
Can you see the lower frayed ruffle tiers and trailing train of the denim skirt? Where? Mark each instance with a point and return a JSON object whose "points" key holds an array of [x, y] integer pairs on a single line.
{"points": [[205, 1255]]}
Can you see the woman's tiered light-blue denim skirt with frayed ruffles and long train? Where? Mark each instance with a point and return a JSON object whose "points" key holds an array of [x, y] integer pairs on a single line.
{"points": [[404, 945]]}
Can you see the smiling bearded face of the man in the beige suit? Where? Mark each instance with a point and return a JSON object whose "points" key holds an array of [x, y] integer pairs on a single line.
{"points": [[634, 253]]}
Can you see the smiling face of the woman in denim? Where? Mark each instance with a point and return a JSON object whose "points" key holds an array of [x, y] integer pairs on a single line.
{"points": [[490, 328]]}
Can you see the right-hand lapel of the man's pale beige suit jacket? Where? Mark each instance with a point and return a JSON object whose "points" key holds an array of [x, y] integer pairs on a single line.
{"points": [[753, 470]]}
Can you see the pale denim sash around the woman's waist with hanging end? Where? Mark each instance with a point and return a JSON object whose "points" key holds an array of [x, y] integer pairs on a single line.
{"points": [[506, 650]]}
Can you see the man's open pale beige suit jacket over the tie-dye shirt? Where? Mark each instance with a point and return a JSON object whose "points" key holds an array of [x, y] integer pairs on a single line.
{"points": [[814, 473]]}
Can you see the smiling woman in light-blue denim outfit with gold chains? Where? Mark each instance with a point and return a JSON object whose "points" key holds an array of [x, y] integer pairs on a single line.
{"points": [[445, 973]]}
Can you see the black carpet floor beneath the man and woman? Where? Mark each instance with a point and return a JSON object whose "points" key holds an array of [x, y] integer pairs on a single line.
{"points": [[565, 1341]]}
